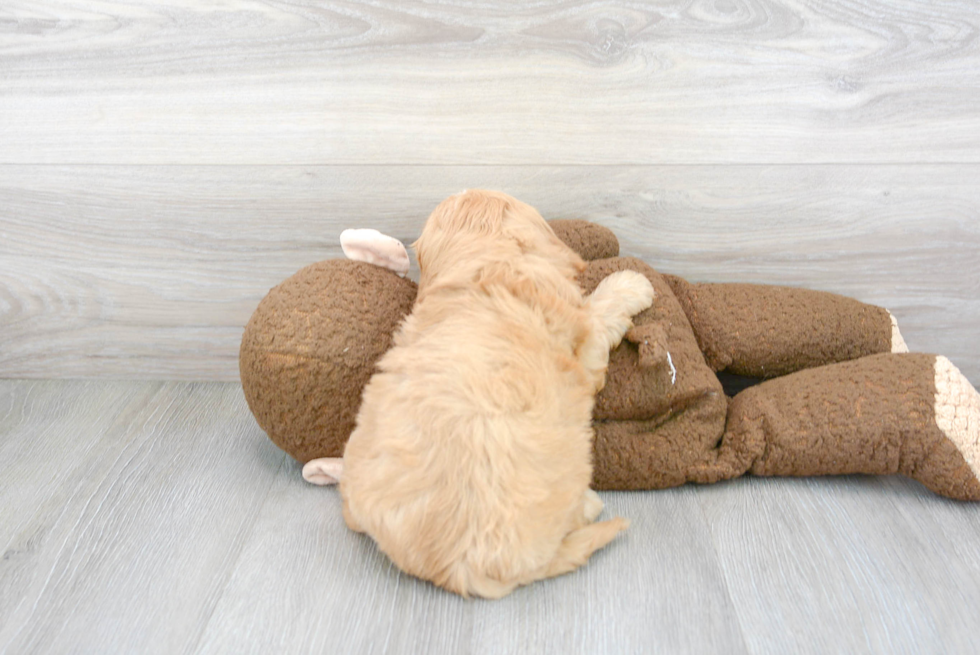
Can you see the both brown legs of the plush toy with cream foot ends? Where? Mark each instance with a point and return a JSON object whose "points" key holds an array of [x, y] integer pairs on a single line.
{"points": [[874, 413]]}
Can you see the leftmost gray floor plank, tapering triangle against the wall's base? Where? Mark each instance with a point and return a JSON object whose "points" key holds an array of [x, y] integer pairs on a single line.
{"points": [[54, 456]]}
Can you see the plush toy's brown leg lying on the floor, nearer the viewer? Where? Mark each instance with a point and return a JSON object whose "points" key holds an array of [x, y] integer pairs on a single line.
{"points": [[912, 414]]}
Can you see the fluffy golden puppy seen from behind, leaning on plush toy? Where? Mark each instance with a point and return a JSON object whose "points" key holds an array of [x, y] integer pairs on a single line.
{"points": [[471, 460]]}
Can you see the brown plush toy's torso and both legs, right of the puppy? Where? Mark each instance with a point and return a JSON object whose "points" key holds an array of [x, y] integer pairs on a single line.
{"points": [[843, 398]]}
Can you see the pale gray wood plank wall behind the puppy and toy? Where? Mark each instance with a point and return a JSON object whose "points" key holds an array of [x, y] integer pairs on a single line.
{"points": [[163, 164]]}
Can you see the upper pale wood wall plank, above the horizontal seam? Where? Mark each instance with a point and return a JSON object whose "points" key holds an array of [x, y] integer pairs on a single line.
{"points": [[565, 82]]}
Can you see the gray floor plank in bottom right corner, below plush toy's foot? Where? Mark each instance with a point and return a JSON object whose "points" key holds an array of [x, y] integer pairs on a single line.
{"points": [[855, 564]]}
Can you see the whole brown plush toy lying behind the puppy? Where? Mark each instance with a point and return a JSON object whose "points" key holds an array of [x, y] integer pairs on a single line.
{"points": [[841, 394]]}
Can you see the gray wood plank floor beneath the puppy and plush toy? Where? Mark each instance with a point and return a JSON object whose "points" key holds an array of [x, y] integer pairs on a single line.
{"points": [[158, 518]]}
